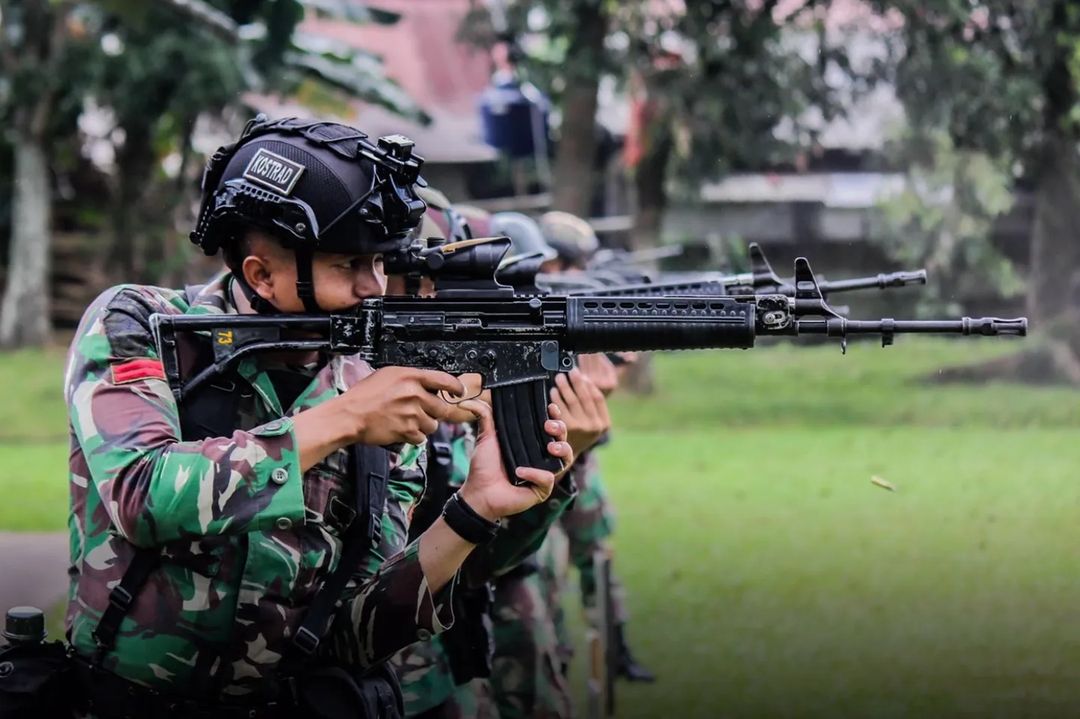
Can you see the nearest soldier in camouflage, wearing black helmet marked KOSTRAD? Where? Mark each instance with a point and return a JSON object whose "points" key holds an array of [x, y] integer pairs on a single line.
{"points": [[242, 505]]}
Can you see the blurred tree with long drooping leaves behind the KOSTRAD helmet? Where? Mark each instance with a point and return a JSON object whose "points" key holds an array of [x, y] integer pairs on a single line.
{"points": [[161, 76]]}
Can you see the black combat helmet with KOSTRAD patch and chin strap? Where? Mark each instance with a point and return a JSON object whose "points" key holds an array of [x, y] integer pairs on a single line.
{"points": [[316, 187]]}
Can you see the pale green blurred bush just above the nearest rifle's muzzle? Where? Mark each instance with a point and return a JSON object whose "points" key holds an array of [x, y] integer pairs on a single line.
{"points": [[943, 218]]}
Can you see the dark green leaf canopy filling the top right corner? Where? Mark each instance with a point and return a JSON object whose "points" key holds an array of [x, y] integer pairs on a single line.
{"points": [[995, 75]]}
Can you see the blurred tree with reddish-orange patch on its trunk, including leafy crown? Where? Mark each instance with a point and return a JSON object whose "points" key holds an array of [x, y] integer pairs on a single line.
{"points": [[721, 86]]}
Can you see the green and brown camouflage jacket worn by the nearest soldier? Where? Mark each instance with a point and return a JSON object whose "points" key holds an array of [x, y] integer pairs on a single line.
{"points": [[246, 538]]}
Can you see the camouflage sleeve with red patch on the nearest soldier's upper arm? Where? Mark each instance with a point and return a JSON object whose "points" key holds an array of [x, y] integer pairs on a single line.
{"points": [[156, 489]]}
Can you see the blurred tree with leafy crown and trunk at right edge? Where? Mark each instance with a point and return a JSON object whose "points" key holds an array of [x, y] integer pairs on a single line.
{"points": [[1002, 77]]}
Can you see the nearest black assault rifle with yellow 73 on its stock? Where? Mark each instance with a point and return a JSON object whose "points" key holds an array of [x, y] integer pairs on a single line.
{"points": [[518, 344]]}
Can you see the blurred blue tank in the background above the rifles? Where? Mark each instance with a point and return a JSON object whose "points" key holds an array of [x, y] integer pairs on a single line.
{"points": [[515, 118]]}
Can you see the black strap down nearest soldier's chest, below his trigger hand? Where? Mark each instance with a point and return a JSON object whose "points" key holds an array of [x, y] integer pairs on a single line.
{"points": [[372, 473]]}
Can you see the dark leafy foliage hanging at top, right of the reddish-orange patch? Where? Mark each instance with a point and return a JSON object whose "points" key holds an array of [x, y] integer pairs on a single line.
{"points": [[741, 79]]}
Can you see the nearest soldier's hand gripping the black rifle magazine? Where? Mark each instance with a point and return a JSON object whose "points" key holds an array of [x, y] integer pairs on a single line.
{"points": [[488, 490]]}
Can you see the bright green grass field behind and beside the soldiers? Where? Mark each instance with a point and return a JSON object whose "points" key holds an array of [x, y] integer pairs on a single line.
{"points": [[767, 576]]}
